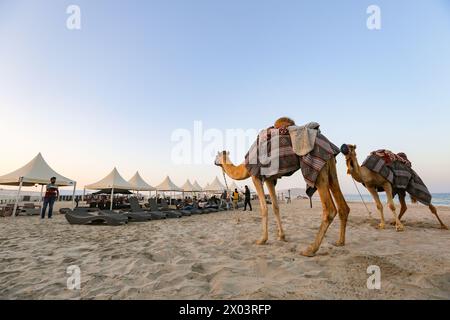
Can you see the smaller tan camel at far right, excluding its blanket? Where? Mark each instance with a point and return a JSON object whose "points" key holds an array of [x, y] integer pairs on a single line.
{"points": [[373, 182]]}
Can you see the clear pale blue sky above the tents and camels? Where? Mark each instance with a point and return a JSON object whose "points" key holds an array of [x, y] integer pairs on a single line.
{"points": [[112, 93]]}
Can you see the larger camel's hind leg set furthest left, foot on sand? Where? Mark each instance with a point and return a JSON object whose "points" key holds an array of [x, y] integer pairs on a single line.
{"points": [[329, 211]]}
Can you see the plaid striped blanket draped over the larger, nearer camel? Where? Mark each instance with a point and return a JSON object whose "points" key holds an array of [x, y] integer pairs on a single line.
{"points": [[272, 156]]}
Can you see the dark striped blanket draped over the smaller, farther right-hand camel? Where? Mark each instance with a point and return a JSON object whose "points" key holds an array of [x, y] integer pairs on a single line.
{"points": [[400, 174]]}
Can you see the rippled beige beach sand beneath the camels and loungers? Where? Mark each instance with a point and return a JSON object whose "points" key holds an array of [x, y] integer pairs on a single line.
{"points": [[214, 257]]}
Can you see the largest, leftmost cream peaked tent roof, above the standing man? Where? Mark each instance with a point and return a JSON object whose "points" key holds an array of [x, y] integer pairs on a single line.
{"points": [[37, 171]]}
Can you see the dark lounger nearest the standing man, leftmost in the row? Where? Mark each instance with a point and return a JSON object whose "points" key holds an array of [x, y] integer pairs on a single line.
{"points": [[83, 217]]}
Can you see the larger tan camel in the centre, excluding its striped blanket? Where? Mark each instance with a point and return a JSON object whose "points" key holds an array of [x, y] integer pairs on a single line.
{"points": [[327, 184]]}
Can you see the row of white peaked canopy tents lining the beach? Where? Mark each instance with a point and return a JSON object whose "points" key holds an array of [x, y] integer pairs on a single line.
{"points": [[38, 172]]}
